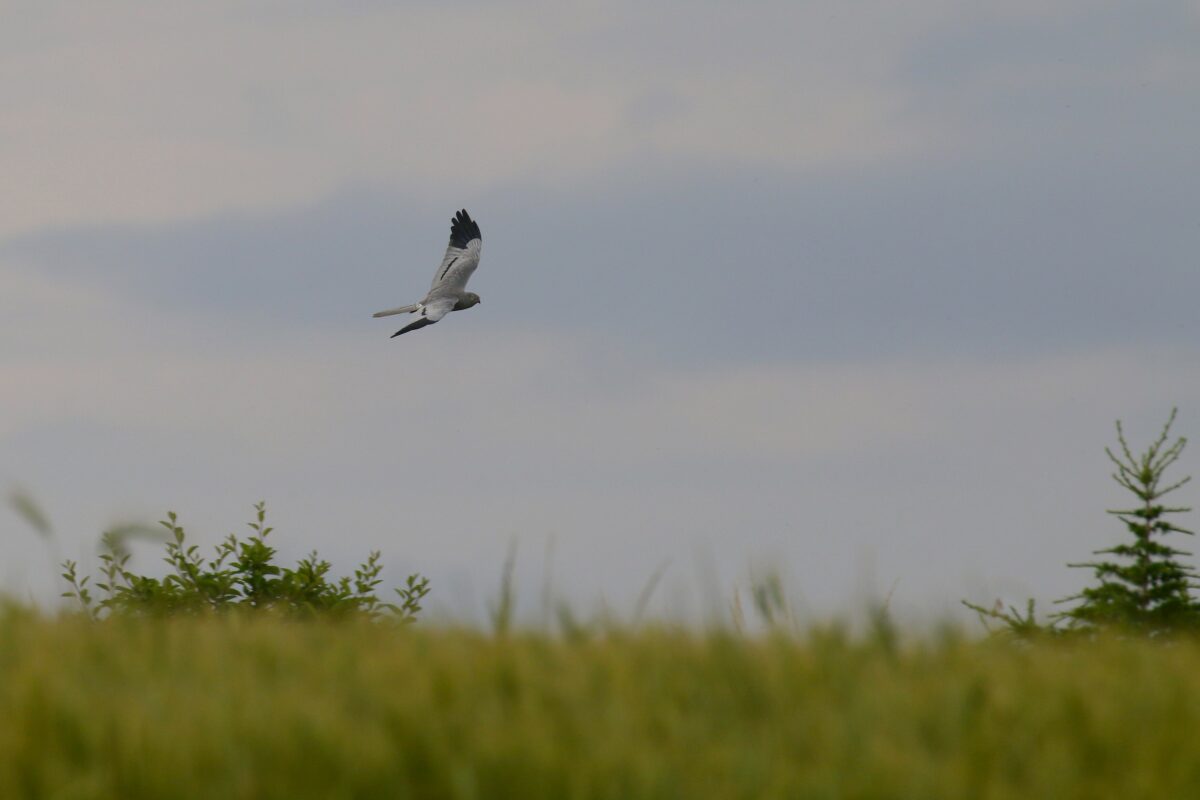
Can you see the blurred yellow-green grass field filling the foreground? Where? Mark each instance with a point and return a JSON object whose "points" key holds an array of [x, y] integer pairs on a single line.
{"points": [[262, 708]]}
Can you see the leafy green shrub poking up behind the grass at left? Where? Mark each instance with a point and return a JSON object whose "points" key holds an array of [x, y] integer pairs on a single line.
{"points": [[243, 575]]}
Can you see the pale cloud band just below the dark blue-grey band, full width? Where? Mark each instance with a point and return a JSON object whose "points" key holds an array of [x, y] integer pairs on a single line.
{"points": [[123, 364]]}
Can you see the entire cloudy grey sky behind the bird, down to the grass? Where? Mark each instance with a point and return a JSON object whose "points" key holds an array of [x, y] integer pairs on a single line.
{"points": [[849, 292]]}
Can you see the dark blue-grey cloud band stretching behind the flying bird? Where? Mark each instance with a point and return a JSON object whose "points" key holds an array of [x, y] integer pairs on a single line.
{"points": [[973, 261]]}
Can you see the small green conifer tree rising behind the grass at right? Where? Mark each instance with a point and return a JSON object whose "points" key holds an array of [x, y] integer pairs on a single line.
{"points": [[1144, 587]]}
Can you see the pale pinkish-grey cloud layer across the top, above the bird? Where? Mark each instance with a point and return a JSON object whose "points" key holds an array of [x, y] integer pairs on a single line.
{"points": [[130, 116]]}
